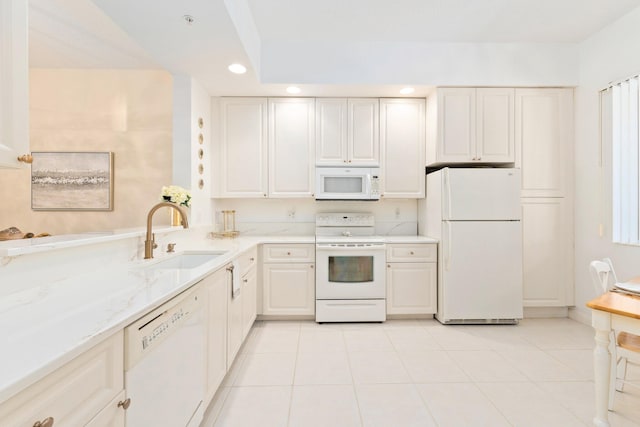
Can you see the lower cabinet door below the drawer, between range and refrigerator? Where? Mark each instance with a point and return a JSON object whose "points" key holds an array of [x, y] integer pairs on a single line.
{"points": [[411, 288]]}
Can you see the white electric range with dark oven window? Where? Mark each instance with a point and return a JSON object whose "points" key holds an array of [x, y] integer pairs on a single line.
{"points": [[350, 269]]}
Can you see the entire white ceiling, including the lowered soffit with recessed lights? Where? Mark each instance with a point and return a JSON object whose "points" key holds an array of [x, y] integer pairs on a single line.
{"points": [[286, 42]]}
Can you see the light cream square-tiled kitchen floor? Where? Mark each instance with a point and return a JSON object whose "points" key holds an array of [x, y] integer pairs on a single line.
{"points": [[416, 373]]}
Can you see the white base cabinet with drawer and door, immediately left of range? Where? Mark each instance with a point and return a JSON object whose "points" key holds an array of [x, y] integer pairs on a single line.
{"points": [[288, 279]]}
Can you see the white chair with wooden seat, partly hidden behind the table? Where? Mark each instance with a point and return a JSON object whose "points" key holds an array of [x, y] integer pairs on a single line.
{"points": [[625, 346]]}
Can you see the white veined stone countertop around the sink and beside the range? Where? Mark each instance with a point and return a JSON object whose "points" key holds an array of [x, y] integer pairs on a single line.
{"points": [[46, 326]]}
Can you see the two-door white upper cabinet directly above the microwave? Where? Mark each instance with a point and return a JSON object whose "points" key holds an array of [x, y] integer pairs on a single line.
{"points": [[347, 132]]}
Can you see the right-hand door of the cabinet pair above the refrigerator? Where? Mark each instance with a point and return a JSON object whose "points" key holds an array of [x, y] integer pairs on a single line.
{"points": [[495, 135]]}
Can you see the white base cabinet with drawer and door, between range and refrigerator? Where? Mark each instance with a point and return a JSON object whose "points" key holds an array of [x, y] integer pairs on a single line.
{"points": [[411, 278]]}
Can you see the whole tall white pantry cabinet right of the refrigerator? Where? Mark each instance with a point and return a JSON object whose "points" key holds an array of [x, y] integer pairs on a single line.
{"points": [[544, 144]]}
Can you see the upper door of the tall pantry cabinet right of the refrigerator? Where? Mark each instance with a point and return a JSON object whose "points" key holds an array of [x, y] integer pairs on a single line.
{"points": [[544, 132]]}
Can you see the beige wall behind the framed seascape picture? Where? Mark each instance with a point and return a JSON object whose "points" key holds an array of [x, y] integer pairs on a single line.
{"points": [[128, 112]]}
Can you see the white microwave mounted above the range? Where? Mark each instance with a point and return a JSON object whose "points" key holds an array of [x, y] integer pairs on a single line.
{"points": [[350, 183]]}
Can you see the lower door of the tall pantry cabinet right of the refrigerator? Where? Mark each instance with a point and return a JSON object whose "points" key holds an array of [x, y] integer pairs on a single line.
{"points": [[546, 255]]}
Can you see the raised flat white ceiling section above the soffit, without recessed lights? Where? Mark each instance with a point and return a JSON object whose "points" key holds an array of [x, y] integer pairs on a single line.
{"points": [[537, 21]]}
